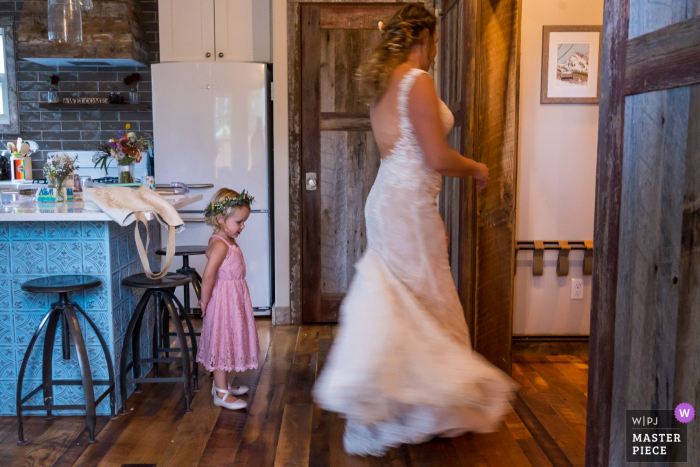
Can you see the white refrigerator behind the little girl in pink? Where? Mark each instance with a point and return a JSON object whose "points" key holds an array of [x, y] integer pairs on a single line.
{"points": [[212, 125]]}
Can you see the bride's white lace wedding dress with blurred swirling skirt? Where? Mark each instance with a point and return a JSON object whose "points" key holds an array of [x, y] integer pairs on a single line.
{"points": [[402, 369]]}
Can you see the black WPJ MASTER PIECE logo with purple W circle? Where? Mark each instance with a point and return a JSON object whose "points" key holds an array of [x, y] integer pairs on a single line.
{"points": [[658, 435]]}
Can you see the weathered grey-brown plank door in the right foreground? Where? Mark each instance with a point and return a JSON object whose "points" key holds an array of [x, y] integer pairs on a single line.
{"points": [[645, 309]]}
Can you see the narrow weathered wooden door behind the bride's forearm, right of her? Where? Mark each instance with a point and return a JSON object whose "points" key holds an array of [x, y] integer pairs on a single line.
{"points": [[457, 198]]}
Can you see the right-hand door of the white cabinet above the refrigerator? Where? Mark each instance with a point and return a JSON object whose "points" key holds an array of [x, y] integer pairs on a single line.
{"points": [[243, 30]]}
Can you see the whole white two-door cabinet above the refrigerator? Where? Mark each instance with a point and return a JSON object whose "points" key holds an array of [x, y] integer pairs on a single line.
{"points": [[215, 30]]}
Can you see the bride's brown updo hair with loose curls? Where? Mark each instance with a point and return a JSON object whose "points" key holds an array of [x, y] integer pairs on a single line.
{"points": [[398, 36]]}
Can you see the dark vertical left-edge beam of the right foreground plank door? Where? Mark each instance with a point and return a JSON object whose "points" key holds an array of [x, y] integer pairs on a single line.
{"points": [[606, 231]]}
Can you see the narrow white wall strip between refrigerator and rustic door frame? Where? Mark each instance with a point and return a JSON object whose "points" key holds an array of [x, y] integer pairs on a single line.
{"points": [[281, 156]]}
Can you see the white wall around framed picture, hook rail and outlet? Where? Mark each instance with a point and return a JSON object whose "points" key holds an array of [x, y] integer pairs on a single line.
{"points": [[556, 178]]}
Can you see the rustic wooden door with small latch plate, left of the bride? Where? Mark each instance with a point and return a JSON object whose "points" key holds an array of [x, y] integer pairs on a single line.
{"points": [[337, 146]]}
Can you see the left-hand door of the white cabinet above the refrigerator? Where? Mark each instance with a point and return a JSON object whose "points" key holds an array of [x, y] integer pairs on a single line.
{"points": [[186, 30]]}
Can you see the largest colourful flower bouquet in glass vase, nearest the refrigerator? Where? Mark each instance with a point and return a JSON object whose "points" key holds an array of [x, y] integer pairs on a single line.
{"points": [[126, 149]]}
